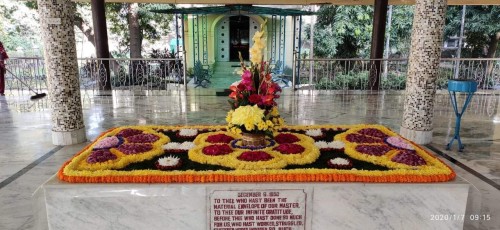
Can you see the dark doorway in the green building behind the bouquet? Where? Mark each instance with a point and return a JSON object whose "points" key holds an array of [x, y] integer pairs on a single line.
{"points": [[239, 37]]}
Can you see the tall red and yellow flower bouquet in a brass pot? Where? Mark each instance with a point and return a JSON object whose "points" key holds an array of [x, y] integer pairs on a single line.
{"points": [[254, 113]]}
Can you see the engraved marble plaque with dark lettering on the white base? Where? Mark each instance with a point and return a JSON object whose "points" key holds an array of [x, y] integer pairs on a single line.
{"points": [[270, 209]]}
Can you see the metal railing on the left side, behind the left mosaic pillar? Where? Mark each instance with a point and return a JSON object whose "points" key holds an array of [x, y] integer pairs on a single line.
{"points": [[124, 74]]}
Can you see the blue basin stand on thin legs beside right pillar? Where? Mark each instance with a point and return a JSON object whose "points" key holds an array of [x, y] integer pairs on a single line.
{"points": [[465, 86]]}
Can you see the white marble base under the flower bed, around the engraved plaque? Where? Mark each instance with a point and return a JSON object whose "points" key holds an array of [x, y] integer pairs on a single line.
{"points": [[61, 205]]}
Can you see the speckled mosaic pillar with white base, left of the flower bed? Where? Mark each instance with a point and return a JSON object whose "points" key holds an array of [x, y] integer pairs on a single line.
{"points": [[56, 22]]}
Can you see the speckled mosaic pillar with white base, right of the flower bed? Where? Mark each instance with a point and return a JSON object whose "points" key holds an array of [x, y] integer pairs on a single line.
{"points": [[423, 67]]}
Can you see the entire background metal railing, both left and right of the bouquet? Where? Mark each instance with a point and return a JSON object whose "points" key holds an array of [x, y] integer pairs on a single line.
{"points": [[316, 74]]}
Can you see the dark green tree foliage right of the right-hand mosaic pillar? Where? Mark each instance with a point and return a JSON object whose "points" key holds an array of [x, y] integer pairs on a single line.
{"points": [[482, 30]]}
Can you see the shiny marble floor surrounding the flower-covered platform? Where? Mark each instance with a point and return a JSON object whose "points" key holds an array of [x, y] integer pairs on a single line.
{"points": [[25, 134]]}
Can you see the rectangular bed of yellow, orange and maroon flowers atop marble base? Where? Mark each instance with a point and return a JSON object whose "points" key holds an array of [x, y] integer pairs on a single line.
{"points": [[396, 165]]}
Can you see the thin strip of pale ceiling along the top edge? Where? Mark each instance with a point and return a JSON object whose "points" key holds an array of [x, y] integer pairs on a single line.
{"points": [[305, 2]]}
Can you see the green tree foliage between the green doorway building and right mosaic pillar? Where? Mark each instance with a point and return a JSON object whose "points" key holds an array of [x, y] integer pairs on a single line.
{"points": [[345, 31]]}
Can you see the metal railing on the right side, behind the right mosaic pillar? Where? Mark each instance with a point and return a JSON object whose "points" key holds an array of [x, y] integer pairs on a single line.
{"points": [[354, 74]]}
